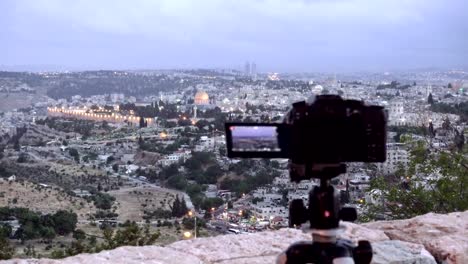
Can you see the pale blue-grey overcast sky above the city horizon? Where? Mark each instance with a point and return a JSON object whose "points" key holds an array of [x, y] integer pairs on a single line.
{"points": [[278, 35]]}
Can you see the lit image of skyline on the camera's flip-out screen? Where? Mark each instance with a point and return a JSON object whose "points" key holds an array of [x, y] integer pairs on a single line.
{"points": [[254, 139]]}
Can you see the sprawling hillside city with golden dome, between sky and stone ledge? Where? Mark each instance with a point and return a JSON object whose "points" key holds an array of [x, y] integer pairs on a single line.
{"points": [[111, 159]]}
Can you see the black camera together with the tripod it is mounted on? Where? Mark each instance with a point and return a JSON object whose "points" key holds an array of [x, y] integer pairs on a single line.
{"points": [[318, 138]]}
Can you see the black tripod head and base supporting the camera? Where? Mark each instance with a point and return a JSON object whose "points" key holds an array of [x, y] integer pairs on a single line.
{"points": [[324, 213]]}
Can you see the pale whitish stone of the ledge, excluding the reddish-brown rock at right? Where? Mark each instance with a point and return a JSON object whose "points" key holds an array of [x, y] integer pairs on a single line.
{"points": [[247, 248]]}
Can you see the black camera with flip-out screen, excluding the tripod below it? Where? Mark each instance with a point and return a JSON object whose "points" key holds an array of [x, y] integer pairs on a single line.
{"points": [[328, 131]]}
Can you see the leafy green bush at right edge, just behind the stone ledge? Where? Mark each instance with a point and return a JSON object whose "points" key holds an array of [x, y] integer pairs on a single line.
{"points": [[435, 181]]}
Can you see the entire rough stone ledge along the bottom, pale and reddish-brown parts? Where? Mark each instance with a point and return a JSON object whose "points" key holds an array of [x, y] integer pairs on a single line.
{"points": [[430, 238]]}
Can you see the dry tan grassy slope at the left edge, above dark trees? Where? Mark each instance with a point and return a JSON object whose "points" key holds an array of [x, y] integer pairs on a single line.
{"points": [[45, 200]]}
